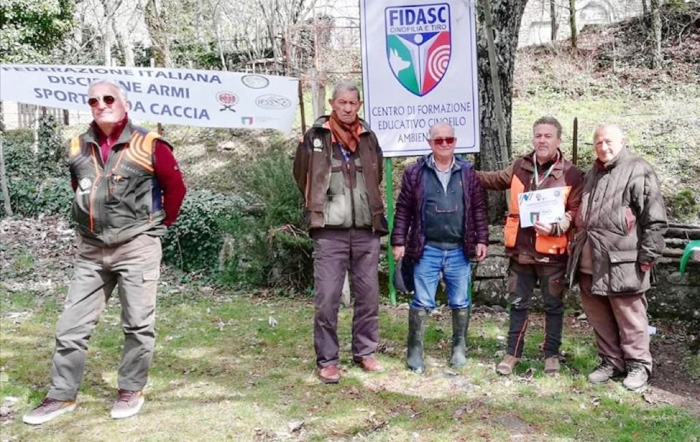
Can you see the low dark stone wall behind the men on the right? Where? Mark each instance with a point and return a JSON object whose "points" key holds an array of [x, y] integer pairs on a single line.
{"points": [[674, 295]]}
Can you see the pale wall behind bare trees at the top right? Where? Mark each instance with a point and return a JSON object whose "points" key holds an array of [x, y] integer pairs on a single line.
{"points": [[536, 26]]}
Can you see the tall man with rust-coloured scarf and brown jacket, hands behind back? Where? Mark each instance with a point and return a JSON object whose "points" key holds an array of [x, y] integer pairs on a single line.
{"points": [[338, 168]]}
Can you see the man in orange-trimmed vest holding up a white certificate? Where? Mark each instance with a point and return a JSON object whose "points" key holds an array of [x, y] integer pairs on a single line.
{"points": [[538, 252]]}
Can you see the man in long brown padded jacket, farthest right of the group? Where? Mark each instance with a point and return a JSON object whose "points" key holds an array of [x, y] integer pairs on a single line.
{"points": [[619, 237]]}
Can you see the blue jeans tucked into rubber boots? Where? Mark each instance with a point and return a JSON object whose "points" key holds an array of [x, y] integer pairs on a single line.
{"points": [[456, 270]]}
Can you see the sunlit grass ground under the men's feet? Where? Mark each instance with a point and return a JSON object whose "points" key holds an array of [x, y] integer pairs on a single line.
{"points": [[222, 371]]}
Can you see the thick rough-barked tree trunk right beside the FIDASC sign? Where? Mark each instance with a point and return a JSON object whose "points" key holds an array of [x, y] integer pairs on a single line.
{"points": [[507, 15]]}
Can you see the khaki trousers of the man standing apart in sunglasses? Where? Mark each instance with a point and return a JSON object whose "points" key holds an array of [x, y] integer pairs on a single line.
{"points": [[135, 268]]}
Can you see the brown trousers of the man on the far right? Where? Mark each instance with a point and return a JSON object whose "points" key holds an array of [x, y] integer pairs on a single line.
{"points": [[620, 324]]}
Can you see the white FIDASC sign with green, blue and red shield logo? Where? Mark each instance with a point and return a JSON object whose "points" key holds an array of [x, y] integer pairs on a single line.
{"points": [[419, 68]]}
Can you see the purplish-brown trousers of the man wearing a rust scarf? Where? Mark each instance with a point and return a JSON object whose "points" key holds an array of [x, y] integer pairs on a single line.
{"points": [[336, 251]]}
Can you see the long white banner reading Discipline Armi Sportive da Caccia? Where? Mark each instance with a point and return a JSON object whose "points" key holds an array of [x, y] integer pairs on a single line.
{"points": [[172, 96]]}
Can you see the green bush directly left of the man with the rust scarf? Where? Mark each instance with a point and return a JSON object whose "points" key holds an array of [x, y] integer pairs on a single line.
{"points": [[267, 245]]}
